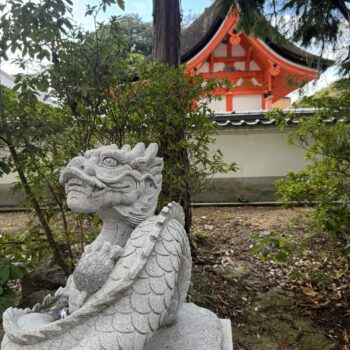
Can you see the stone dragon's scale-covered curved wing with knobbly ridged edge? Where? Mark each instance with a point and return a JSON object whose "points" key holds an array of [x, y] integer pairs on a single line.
{"points": [[145, 290]]}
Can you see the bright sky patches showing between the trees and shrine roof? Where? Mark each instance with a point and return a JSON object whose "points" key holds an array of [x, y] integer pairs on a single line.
{"points": [[144, 9]]}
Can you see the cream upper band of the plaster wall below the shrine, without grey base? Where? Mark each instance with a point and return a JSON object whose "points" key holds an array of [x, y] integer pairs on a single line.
{"points": [[259, 152]]}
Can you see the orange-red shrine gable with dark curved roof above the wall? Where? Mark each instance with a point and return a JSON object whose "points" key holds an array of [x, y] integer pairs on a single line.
{"points": [[261, 71]]}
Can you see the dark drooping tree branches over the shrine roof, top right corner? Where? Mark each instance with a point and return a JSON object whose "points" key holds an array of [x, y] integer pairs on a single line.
{"points": [[320, 23]]}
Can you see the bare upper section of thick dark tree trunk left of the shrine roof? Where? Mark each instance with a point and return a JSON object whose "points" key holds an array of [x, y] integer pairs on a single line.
{"points": [[166, 31]]}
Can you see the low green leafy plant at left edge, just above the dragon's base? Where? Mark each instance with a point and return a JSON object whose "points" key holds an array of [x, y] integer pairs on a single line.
{"points": [[9, 271]]}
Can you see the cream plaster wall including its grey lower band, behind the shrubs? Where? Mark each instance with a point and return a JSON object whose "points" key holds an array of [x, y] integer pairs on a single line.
{"points": [[261, 153]]}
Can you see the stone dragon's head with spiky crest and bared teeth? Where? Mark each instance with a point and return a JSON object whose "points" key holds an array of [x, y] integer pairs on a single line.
{"points": [[126, 180]]}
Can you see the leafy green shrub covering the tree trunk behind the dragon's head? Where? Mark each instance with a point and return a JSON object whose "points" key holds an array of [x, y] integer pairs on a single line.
{"points": [[183, 130]]}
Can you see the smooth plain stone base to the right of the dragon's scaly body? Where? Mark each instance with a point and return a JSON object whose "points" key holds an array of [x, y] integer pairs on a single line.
{"points": [[195, 329]]}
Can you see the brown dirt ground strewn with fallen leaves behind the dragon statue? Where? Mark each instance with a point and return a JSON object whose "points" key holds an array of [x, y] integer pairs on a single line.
{"points": [[303, 304]]}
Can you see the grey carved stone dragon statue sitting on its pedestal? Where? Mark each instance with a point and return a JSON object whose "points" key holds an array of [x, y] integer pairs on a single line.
{"points": [[128, 288]]}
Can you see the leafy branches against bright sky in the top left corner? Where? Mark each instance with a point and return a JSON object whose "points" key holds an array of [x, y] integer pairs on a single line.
{"points": [[35, 28]]}
